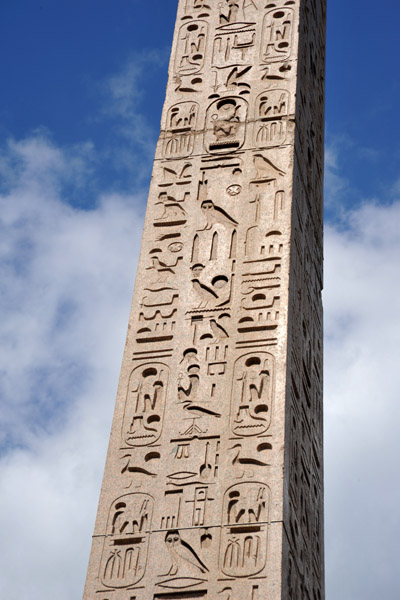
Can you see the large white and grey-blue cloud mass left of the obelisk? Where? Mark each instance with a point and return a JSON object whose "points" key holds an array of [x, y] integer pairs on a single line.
{"points": [[67, 276]]}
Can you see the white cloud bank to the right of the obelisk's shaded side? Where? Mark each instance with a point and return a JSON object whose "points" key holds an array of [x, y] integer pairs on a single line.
{"points": [[362, 442]]}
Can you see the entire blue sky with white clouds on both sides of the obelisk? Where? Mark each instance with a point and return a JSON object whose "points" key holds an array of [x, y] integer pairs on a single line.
{"points": [[80, 102]]}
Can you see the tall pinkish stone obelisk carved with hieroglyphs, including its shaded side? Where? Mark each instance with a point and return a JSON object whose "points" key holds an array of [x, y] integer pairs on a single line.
{"points": [[213, 484]]}
